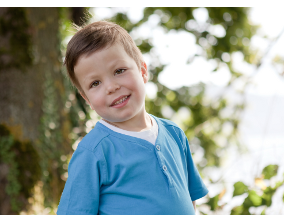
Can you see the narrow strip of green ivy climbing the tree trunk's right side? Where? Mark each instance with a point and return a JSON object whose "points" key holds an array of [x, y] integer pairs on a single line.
{"points": [[51, 138]]}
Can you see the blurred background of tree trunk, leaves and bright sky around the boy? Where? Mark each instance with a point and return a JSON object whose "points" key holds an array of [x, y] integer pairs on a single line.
{"points": [[216, 72]]}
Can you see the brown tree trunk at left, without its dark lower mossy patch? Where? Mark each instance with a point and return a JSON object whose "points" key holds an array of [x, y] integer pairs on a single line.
{"points": [[32, 92]]}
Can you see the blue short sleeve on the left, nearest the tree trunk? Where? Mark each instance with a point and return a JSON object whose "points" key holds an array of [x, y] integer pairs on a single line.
{"points": [[82, 189]]}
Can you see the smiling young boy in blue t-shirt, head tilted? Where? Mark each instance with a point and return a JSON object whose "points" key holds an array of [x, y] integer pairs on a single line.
{"points": [[131, 162]]}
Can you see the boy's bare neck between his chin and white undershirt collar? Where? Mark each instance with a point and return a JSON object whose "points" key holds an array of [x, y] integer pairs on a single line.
{"points": [[145, 123]]}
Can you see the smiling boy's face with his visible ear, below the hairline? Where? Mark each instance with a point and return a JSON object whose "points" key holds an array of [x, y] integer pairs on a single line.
{"points": [[112, 83]]}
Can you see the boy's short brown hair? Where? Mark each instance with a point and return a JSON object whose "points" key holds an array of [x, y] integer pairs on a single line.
{"points": [[96, 36]]}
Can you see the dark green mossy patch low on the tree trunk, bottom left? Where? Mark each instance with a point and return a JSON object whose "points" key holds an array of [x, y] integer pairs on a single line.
{"points": [[22, 160]]}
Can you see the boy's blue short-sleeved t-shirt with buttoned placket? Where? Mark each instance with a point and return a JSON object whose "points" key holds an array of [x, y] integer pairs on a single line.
{"points": [[113, 173]]}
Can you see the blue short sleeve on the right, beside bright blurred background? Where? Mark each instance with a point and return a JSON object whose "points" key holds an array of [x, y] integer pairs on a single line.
{"points": [[196, 187]]}
